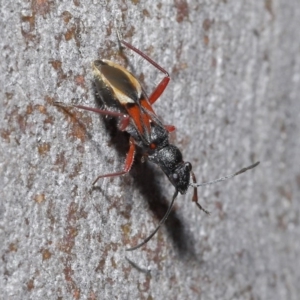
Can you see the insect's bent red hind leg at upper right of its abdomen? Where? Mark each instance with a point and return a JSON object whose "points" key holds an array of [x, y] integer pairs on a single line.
{"points": [[163, 84]]}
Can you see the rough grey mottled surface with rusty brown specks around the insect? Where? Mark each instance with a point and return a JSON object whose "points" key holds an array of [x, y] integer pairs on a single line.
{"points": [[234, 98]]}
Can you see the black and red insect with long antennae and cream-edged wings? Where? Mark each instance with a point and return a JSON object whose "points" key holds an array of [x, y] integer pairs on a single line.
{"points": [[124, 98]]}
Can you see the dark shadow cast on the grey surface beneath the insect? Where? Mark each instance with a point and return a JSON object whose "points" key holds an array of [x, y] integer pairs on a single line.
{"points": [[145, 179]]}
